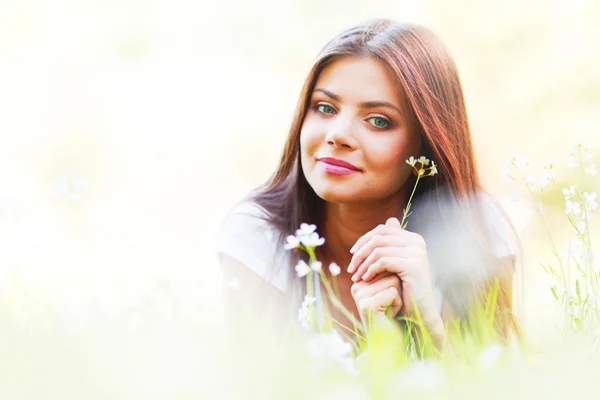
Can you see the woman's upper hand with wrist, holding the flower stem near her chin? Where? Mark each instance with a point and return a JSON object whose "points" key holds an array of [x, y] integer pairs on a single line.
{"points": [[390, 248]]}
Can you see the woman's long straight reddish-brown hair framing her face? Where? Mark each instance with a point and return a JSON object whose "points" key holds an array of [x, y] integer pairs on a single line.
{"points": [[427, 76]]}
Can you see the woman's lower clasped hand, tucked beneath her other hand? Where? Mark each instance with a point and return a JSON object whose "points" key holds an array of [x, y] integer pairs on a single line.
{"points": [[378, 298]]}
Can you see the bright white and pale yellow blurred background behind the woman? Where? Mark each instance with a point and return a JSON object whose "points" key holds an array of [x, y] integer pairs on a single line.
{"points": [[130, 128]]}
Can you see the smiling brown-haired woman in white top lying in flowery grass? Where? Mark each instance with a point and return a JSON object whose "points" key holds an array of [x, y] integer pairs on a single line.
{"points": [[378, 94]]}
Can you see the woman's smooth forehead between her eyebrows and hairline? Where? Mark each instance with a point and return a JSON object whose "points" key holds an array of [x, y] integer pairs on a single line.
{"points": [[360, 79]]}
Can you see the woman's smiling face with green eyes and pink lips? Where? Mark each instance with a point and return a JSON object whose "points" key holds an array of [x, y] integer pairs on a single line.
{"points": [[356, 117]]}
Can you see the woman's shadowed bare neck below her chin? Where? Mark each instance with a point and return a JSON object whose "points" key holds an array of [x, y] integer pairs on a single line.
{"points": [[344, 223]]}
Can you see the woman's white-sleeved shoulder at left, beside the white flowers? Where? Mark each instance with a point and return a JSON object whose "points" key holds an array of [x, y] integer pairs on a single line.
{"points": [[248, 237]]}
